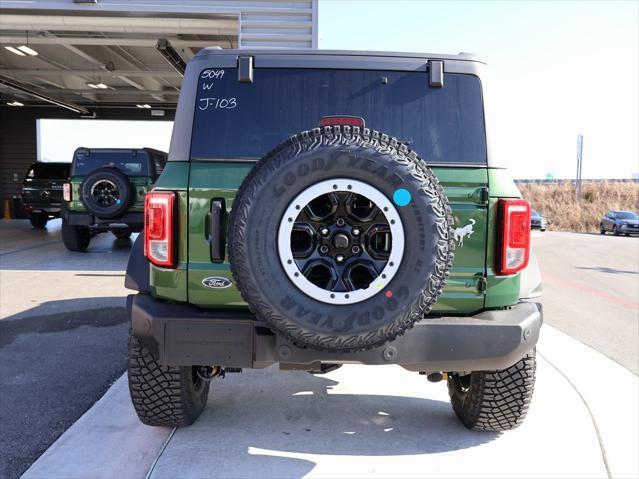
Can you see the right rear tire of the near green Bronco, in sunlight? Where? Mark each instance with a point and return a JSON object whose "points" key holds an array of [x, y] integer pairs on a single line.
{"points": [[494, 400]]}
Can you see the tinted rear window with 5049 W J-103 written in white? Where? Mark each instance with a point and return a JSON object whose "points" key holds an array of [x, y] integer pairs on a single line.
{"points": [[247, 120]]}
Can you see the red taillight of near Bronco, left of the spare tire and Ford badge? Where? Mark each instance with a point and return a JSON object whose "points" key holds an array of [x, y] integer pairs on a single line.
{"points": [[159, 239]]}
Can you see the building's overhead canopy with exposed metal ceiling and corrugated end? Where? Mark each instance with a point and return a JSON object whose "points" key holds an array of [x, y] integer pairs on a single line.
{"points": [[105, 53]]}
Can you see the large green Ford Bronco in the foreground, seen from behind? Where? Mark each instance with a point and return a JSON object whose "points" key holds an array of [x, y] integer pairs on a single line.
{"points": [[321, 208]]}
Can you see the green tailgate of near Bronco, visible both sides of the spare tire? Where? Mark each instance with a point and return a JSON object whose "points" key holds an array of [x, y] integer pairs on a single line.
{"points": [[215, 183]]}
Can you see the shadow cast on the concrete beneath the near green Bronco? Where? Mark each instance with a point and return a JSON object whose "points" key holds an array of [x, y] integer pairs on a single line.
{"points": [[282, 422]]}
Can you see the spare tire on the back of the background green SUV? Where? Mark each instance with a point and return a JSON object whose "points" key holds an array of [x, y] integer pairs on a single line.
{"points": [[106, 192]]}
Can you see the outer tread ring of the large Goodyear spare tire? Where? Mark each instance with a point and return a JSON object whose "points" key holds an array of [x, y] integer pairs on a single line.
{"points": [[347, 136]]}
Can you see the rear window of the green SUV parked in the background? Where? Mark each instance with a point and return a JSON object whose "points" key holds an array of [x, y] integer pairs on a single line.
{"points": [[130, 163]]}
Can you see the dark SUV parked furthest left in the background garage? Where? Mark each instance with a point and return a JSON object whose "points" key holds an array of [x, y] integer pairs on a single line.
{"points": [[42, 191]]}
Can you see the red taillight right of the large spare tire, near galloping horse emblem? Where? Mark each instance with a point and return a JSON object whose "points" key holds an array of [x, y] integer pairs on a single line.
{"points": [[515, 236]]}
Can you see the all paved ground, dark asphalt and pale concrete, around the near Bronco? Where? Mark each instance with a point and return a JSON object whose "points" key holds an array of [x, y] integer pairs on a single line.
{"points": [[354, 422]]}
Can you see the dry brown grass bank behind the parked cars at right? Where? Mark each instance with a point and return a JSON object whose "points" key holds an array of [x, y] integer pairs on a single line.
{"points": [[557, 202]]}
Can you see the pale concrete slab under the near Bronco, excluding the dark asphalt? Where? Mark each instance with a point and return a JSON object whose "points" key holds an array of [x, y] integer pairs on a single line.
{"points": [[364, 422]]}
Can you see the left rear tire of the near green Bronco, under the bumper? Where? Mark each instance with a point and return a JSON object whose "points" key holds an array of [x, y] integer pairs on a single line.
{"points": [[164, 395]]}
